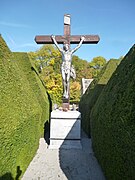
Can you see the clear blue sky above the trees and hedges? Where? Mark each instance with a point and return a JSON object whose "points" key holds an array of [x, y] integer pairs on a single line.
{"points": [[112, 20]]}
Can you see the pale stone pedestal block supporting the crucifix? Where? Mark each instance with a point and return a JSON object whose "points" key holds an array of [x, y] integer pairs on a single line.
{"points": [[65, 130]]}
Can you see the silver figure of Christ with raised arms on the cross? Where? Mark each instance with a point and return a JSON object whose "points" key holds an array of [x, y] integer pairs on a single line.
{"points": [[67, 69]]}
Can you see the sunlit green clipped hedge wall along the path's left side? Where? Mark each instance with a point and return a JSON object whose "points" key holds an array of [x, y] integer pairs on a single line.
{"points": [[24, 110]]}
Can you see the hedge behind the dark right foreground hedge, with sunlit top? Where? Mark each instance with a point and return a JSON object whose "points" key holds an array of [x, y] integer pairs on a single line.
{"points": [[90, 97]]}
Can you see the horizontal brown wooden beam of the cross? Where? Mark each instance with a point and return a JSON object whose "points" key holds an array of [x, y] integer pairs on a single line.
{"points": [[75, 39]]}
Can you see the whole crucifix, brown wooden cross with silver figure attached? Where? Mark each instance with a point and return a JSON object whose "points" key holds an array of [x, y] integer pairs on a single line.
{"points": [[67, 69]]}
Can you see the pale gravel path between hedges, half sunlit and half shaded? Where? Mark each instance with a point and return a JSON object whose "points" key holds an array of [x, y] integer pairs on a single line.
{"points": [[64, 164]]}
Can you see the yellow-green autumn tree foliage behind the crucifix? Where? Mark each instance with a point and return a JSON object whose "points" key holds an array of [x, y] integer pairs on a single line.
{"points": [[47, 61]]}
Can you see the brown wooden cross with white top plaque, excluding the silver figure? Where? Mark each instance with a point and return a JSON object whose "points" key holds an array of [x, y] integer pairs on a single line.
{"points": [[67, 38]]}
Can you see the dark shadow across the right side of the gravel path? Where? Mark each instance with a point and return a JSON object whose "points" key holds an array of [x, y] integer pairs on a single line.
{"points": [[80, 164]]}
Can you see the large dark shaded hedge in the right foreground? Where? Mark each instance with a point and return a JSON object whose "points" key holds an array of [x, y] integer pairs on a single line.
{"points": [[113, 122]]}
